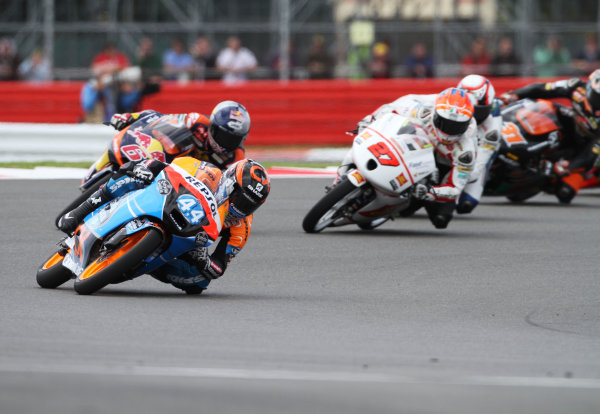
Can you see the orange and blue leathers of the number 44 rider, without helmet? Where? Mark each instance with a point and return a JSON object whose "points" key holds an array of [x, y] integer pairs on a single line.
{"points": [[193, 271]]}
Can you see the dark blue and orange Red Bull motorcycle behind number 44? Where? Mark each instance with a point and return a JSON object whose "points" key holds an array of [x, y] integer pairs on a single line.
{"points": [[163, 139]]}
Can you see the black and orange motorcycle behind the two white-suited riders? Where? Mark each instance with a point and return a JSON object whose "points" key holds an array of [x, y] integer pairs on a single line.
{"points": [[532, 141]]}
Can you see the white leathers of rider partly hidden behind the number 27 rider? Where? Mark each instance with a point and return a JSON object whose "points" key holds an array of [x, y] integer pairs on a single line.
{"points": [[488, 142]]}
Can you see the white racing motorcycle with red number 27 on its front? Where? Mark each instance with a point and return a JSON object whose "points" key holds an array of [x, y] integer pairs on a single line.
{"points": [[388, 160]]}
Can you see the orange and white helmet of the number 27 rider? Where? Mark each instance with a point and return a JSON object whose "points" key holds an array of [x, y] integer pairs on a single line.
{"points": [[452, 115]]}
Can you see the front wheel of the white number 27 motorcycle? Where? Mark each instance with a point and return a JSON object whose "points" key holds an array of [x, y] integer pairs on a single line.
{"points": [[322, 214]]}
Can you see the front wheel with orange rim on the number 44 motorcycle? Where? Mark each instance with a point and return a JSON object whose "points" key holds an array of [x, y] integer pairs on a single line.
{"points": [[111, 267]]}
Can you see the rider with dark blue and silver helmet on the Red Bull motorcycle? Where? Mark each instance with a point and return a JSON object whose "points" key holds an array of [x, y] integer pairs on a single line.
{"points": [[217, 138]]}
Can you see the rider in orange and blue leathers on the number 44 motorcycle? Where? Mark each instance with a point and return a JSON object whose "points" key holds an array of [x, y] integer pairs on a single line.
{"points": [[239, 190]]}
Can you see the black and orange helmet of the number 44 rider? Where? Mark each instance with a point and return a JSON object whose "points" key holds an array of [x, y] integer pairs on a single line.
{"points": [[247, 186]]}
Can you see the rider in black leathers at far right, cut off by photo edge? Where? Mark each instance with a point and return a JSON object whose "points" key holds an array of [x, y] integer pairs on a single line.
{"points": [[580, 123]]}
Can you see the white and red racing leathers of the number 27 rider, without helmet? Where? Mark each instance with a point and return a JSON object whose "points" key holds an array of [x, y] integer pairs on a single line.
{"points": [[455, 162]]}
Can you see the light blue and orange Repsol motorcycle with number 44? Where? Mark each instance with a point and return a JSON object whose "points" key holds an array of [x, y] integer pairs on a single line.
{"points": [[136, 233]]}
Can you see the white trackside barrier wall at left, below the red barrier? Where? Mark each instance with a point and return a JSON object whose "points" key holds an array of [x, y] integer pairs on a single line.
{"points": [[53, 142]]}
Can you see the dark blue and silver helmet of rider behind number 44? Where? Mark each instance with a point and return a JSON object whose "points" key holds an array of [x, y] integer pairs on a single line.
{"points": [[228, 127]]}
